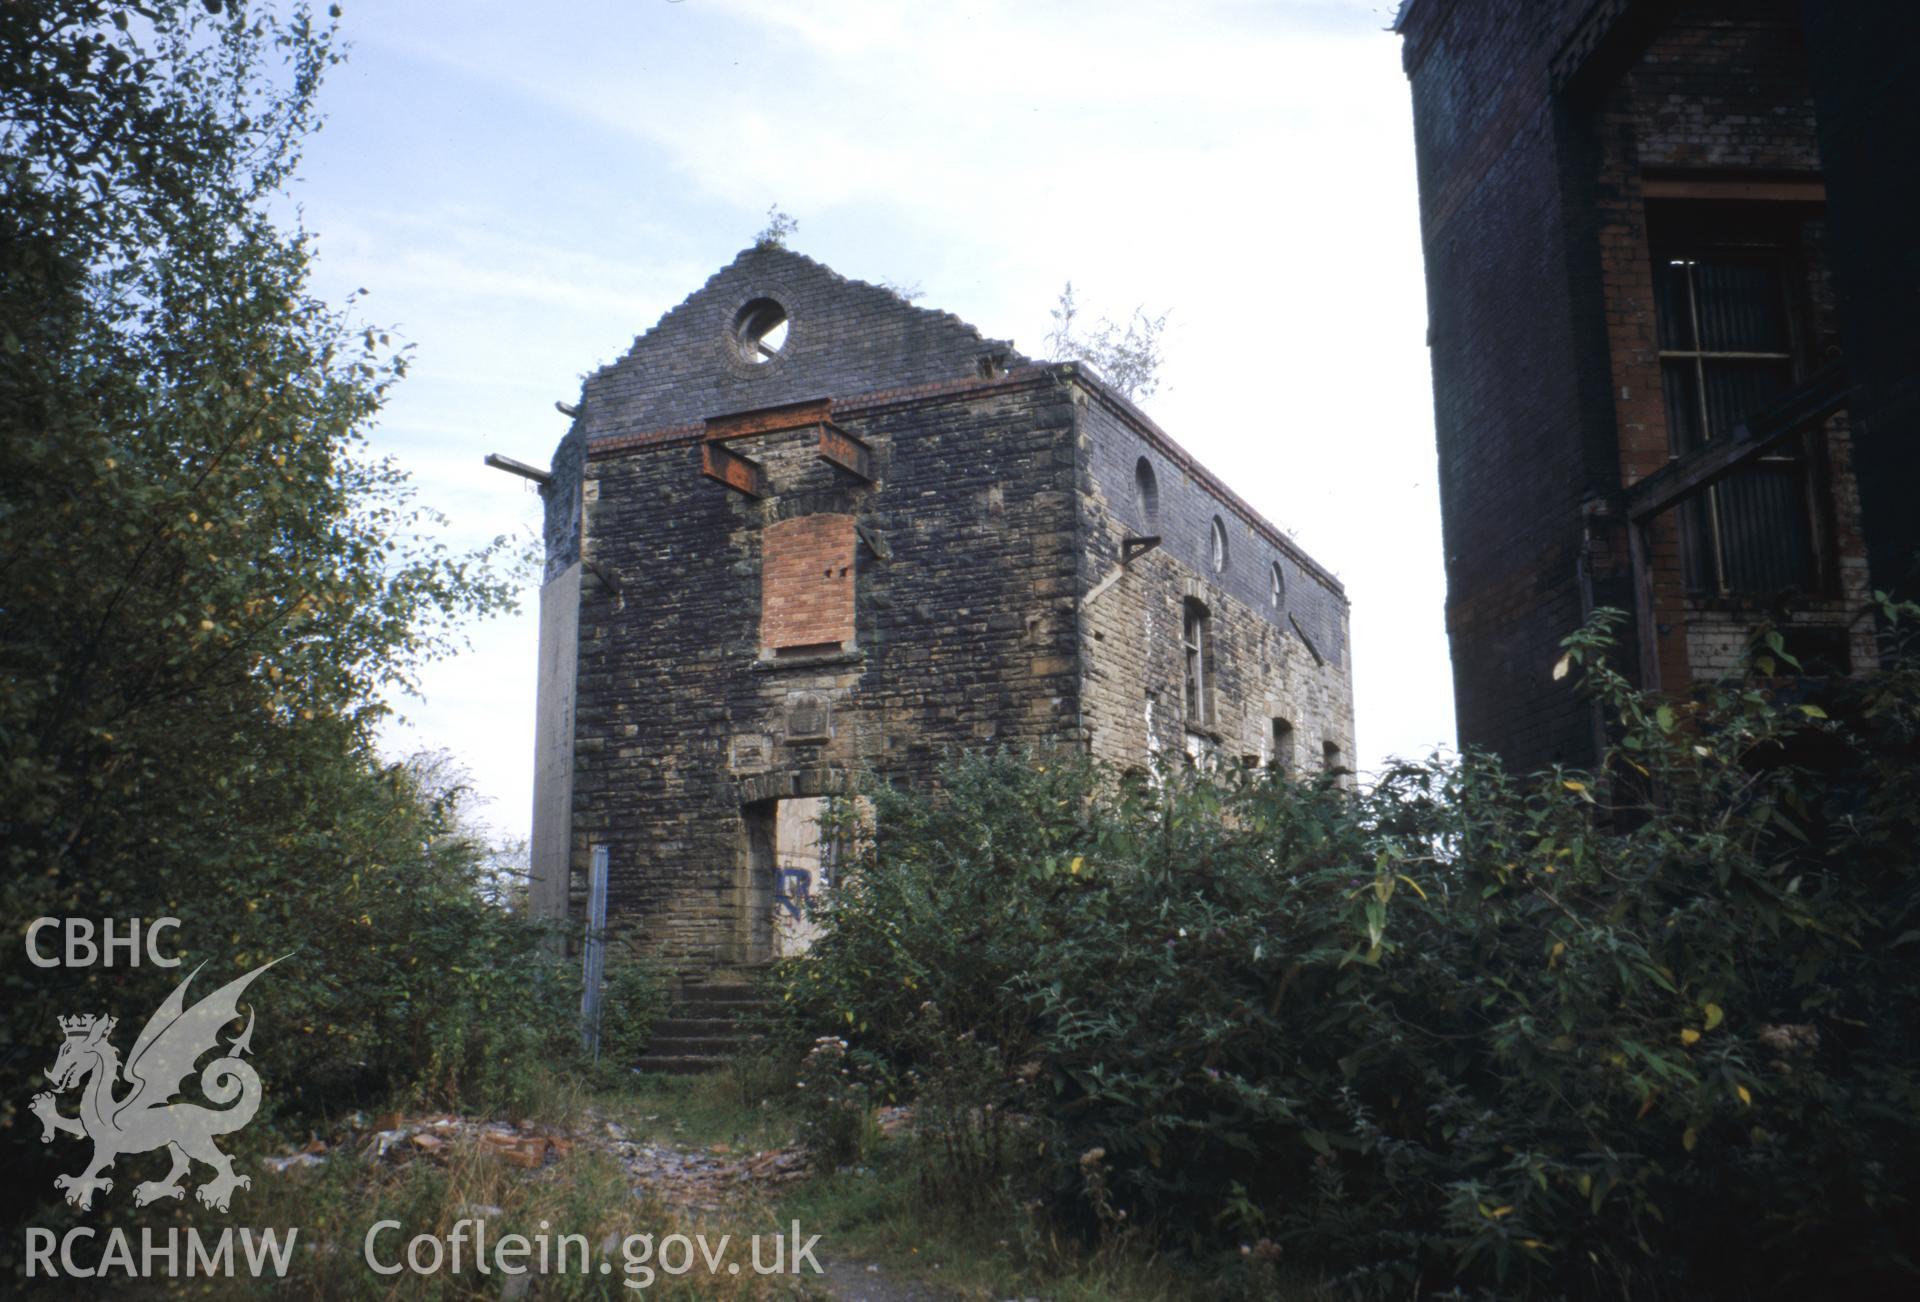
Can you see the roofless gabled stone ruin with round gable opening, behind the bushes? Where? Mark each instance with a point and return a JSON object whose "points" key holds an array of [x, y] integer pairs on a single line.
{"points": [[807, 531]]}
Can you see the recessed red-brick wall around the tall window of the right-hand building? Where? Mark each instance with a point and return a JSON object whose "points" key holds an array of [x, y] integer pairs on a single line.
{"points": [[1719, 91]]}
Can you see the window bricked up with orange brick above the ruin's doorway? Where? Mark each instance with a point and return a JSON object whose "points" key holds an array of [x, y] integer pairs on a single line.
{"points": [[807, 577]]}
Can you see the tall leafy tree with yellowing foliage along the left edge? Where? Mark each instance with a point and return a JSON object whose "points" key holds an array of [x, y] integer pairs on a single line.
{"points": [[208, 583]]}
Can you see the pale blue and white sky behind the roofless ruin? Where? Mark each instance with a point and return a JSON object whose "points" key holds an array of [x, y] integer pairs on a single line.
{"points": [[525, 189]]}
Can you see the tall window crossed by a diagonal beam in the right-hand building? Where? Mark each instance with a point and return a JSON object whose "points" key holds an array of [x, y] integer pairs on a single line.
{"points": [[1727, 354]]}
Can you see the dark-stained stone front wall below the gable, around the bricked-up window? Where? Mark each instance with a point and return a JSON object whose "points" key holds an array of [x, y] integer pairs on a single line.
{"points": [[965, 637]]}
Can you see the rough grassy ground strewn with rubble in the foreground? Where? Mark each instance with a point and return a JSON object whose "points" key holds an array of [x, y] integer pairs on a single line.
{"points": [[876, 1213]]}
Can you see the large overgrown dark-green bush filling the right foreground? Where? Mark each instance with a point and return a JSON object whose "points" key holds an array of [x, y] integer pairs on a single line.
{"points": [[1641, 1032]]}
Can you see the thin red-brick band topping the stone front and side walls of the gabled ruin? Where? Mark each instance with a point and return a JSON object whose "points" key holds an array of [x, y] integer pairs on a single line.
{"points": [[1024, 377]]}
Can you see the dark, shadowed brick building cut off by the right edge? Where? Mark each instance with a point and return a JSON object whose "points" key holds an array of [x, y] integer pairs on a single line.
{"points": [[1675, 325]]}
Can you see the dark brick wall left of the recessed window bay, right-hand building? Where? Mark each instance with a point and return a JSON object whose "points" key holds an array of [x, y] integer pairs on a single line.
{"points": [[1520, 391]]}
